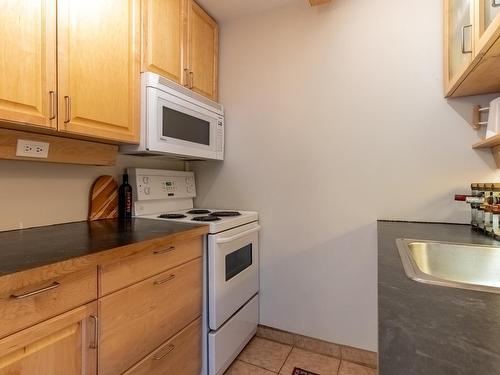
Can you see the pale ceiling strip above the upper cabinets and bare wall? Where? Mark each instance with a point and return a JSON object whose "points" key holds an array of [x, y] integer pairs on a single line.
{"points": [[224, 10]]}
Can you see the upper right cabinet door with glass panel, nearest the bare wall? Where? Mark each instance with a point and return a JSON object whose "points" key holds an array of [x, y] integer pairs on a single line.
{"points": [[459, 40]]}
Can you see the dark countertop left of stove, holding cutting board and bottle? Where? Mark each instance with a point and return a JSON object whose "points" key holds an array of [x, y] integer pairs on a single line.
{"points": [[25, 249]]}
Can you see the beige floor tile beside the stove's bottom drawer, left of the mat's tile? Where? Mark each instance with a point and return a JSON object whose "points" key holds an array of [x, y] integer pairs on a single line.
{"points": [[265, 353]]}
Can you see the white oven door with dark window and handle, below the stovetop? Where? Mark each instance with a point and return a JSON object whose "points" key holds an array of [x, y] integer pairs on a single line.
{"points": [[233, 271]]}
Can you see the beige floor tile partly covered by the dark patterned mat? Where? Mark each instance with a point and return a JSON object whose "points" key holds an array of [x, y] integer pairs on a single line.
{"points": [[320, 364]]}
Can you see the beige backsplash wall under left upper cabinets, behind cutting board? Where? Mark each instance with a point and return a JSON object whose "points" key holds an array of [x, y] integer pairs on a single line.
{"points": [[34, 194]]}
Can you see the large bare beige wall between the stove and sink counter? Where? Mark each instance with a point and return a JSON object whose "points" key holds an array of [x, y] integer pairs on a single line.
{"points": [[335, 118]]}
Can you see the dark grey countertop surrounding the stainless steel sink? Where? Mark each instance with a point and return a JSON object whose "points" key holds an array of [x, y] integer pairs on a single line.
{"points": [[432, 330]]}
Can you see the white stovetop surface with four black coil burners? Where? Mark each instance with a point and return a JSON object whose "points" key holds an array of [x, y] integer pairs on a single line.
{"points": [[218, 220]]}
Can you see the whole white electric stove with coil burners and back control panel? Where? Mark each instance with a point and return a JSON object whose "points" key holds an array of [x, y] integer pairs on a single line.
{"points": [[231, 259]]}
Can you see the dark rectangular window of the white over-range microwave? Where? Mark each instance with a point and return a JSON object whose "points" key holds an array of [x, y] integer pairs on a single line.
{"points": [[179, 125]]}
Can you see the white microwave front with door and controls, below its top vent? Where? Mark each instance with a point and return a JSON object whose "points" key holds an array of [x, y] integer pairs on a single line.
{"points": [[177, 126]]}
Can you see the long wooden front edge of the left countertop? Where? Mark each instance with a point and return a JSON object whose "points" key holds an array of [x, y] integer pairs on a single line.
{"points": [[20, 279]]}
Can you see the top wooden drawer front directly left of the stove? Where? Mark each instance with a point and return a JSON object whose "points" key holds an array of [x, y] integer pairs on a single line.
{"points": [[140, 266]]}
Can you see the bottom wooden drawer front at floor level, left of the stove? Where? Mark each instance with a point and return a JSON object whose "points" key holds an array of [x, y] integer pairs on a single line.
{"points": [[179, 355]]}
